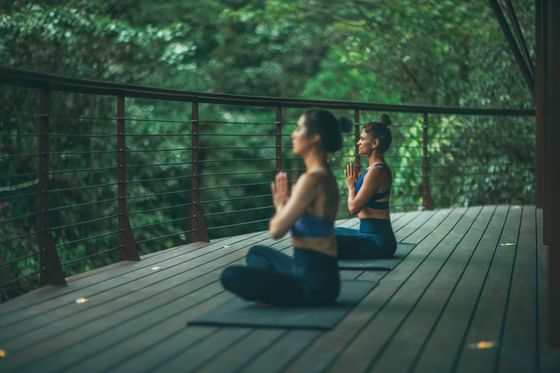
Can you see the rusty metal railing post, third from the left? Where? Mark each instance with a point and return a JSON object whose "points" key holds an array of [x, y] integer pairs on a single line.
{"points": [[197, 216]]}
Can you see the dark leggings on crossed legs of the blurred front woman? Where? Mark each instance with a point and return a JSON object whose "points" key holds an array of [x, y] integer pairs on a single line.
{"points": [[308, 278]]}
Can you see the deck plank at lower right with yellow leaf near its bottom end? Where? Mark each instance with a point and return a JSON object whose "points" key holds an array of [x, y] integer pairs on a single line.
{"points": [[488, 316]]}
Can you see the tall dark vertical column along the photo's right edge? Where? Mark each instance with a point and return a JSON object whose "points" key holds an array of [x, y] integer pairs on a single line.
{"points": [[550, 13]]}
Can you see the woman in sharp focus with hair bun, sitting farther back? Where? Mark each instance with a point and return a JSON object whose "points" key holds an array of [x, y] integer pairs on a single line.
{"points": [[368, 198]]}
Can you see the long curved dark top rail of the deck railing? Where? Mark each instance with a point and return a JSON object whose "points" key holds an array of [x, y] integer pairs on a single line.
{"points": [[25, 78]]}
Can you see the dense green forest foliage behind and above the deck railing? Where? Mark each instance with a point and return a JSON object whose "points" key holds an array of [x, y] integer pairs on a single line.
{"points": [[398, 52]]}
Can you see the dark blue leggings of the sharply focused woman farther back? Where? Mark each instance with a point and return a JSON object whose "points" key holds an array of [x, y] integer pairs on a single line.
{"points": [[374, 240]]}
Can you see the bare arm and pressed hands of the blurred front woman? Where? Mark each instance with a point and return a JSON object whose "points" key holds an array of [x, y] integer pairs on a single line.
{"points": [[293, 208]]}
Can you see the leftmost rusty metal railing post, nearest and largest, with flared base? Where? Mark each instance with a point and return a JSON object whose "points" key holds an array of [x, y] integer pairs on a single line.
{"points": [[49, 262]]}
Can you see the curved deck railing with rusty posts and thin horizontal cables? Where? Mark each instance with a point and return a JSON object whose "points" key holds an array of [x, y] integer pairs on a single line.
{"points": [[166, 167]]}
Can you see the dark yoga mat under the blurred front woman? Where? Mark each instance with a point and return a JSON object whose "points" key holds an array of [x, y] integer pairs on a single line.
{"points": [[240, 313]]}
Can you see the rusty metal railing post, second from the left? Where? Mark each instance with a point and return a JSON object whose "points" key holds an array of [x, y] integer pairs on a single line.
{"points": [[127, 245]]}
